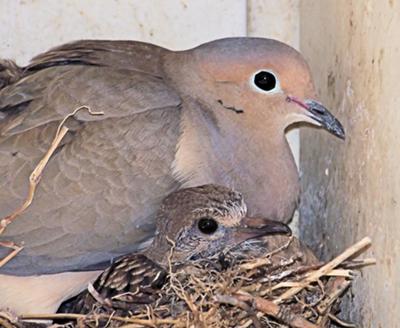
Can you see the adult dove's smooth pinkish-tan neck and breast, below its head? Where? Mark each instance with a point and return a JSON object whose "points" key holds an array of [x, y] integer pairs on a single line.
{"points": [[256, 162]]}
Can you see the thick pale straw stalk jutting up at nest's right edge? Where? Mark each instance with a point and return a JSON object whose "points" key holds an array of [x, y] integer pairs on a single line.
{"points": [[313, 276]]}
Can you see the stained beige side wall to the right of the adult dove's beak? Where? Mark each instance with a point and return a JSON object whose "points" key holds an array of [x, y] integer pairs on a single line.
{"points": [[351, 189]]}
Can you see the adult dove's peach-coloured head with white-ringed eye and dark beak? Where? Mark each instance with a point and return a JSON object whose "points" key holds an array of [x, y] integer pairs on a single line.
{"points": [[263, 82]]}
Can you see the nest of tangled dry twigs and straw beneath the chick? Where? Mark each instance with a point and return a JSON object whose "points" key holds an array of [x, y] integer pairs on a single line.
{"points": [[286, 287]]}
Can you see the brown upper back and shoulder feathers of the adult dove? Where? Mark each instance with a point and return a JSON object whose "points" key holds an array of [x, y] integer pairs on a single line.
{"points": [[116, 77]]}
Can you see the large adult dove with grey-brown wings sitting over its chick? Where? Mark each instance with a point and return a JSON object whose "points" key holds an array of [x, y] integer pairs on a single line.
{"points": [[213, 114]]}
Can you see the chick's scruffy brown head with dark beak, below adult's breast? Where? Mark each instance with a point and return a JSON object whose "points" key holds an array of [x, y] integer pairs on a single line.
{"points": [[203, 221]]}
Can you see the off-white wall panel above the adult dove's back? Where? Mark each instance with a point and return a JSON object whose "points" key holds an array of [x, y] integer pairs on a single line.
{"points": [[28, 27]]}
